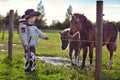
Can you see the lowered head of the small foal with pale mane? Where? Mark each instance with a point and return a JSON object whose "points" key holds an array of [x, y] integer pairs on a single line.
{"points": [[64, 38]]}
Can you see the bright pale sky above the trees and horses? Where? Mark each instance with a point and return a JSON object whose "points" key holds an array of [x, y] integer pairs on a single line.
{"points": [[56, 9]]}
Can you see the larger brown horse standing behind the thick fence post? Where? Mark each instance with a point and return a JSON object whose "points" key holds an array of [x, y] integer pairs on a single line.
{"points": [[87, 32]]}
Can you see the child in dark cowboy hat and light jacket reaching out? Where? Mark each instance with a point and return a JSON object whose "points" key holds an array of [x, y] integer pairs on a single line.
{"points": [[29, 34]]}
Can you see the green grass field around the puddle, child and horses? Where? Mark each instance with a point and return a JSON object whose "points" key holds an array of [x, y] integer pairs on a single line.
{"points": [[14, 69]]}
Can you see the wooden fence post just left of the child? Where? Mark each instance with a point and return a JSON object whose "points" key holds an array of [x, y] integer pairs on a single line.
{"points": [[11, 23]]}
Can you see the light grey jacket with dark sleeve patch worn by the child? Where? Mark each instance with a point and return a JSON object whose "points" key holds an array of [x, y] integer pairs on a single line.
{"points": [[29, 34]]}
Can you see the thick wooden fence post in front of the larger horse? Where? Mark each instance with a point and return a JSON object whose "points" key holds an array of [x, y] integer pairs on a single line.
{"points": [[99, 36]]}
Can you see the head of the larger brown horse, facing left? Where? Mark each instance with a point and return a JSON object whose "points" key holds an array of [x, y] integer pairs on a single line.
{"points": [[76, 23]]}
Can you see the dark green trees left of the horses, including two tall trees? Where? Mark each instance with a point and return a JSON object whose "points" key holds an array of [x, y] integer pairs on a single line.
{"points": [[40, 22]]}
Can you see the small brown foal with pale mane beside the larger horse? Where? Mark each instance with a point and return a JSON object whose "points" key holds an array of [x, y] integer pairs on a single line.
{"points": [[74, 43]]}
